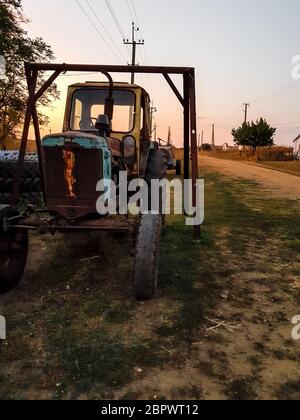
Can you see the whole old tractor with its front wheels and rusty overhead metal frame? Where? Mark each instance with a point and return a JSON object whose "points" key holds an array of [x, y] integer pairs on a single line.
{"points": [[106, 131]]}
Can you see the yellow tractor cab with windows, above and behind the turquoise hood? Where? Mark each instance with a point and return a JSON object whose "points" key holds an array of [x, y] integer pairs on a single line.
{"points": [[129, 122]]}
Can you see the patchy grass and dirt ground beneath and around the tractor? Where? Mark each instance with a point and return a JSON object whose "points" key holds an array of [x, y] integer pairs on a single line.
{"points": [[76, 331]]}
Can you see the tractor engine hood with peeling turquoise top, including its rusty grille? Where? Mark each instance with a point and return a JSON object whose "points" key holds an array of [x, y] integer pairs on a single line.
{"points": [[74, 163]]}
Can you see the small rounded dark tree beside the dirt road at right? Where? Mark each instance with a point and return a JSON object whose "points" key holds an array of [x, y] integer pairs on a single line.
{"points": [[254, 135]]}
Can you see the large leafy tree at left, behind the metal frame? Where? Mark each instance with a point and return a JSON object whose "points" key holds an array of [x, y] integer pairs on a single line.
{"points": [[17, 47]]}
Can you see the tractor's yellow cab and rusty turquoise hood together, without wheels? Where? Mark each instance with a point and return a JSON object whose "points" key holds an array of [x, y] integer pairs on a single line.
{"points": [[106, 130]]}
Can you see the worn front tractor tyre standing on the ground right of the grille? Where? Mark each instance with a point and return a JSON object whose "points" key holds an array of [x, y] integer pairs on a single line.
{"points": [[147, 256]]}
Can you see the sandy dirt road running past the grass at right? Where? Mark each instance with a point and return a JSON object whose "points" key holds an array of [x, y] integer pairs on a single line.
{"points": [[278, 183]]}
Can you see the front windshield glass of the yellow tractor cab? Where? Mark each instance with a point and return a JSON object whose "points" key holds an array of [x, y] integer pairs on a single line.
{"points": [[88, 104]]}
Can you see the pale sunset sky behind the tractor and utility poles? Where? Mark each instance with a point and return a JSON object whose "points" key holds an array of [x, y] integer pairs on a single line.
{"points": [[242, 52]]}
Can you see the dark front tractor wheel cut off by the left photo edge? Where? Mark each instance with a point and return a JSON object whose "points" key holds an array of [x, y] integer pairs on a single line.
{"points": [[13, 251]]}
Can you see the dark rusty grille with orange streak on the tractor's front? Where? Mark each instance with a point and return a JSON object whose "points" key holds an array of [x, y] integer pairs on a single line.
{"points": [[71, 176]]}
